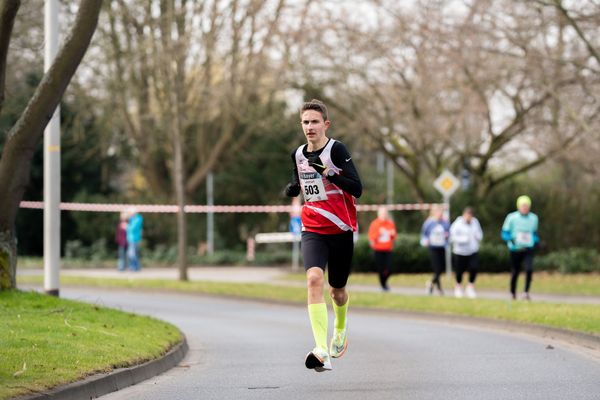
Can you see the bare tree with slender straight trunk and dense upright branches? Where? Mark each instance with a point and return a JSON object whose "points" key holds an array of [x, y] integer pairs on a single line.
{"points": [[198, 75]]}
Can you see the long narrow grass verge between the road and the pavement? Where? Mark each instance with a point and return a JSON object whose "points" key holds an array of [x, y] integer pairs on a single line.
{"points": [[576, 317]]}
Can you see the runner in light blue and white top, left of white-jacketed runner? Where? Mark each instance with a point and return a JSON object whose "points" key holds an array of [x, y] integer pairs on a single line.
{"points": [[434, 236]]}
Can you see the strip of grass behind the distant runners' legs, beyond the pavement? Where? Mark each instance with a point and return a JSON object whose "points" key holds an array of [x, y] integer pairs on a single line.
{"points": [[543, 282]]}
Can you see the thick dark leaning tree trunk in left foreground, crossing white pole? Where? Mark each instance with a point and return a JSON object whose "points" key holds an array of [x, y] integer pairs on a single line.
{"points": [[25, 135]]}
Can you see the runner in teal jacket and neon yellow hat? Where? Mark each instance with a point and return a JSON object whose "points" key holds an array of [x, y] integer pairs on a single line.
{"points": [[520, 232]]}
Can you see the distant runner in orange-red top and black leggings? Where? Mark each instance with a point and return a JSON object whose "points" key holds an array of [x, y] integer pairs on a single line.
{"points": [[382, 233]]}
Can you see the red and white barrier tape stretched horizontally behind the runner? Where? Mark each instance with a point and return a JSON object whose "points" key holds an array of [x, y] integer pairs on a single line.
{"points": [[156, 208]]}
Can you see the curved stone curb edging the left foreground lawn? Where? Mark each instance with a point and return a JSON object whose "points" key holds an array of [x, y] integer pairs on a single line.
{"points": [[101, 384]]}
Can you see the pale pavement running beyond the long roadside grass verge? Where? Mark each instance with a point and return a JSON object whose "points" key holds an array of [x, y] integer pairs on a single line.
{"points": [[277, 276]]}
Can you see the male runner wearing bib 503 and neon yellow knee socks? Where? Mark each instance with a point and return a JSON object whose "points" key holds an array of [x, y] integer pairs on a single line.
{"points": [[325, 173]]}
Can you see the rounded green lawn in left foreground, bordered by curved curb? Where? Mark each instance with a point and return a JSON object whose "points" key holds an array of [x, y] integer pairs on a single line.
{"points": [[46, 341]]}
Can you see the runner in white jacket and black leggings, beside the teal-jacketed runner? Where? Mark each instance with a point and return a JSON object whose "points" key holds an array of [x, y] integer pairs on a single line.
{"points": [[465, 235]]}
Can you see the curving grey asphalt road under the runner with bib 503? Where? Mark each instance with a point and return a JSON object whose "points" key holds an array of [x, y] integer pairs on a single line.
{"points": [[252, 350]]}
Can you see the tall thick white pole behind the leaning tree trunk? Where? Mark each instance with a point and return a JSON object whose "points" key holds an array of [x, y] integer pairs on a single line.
{"points": [[51, 163]]}
